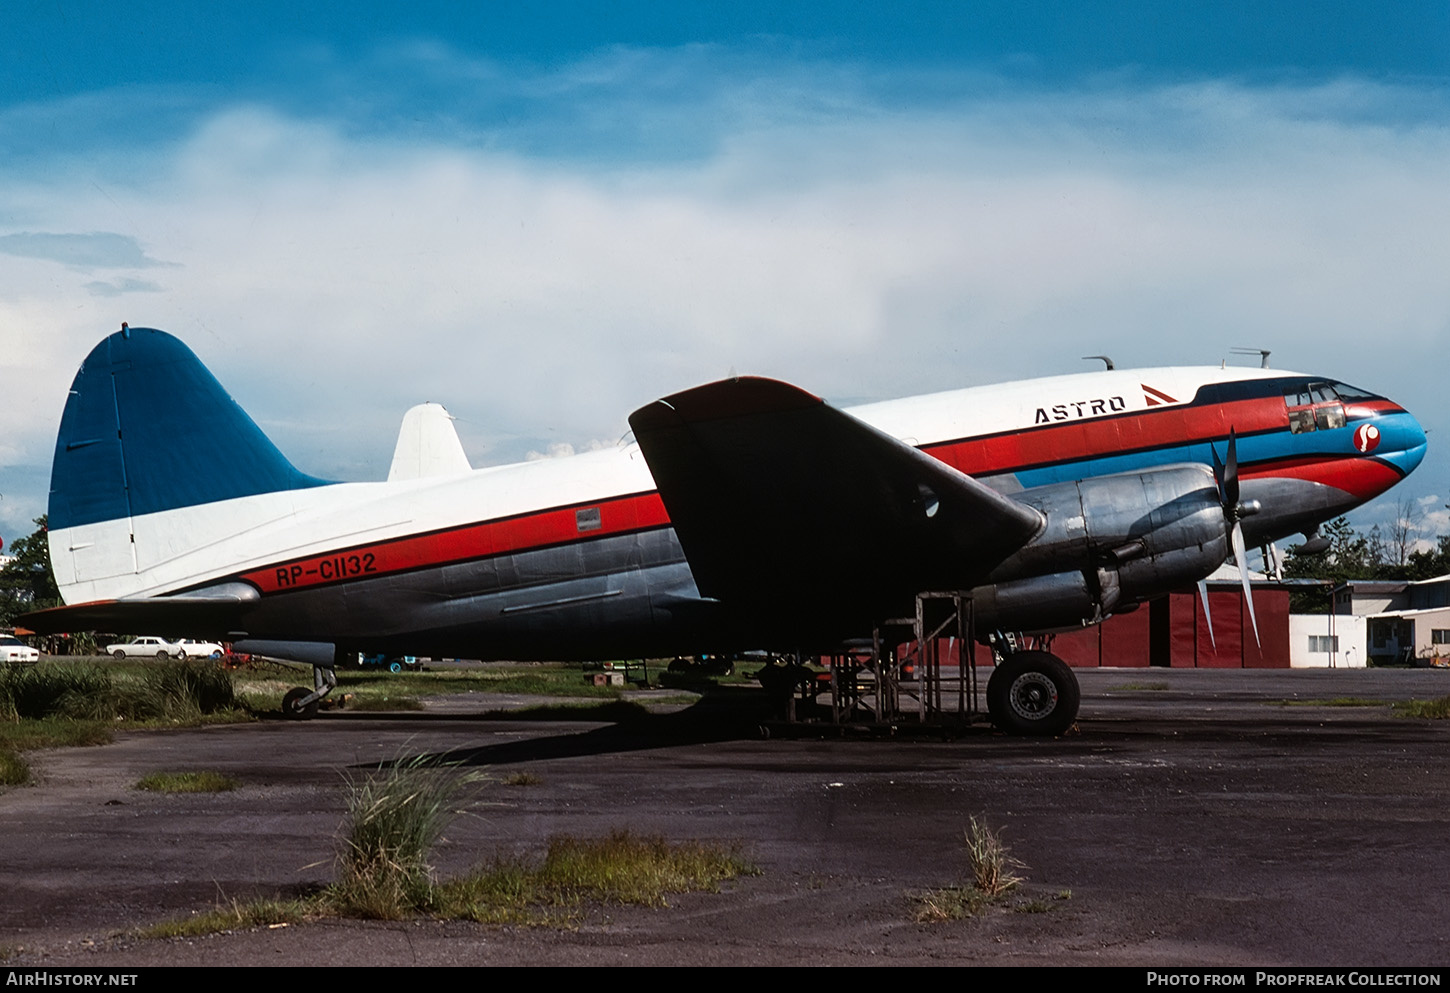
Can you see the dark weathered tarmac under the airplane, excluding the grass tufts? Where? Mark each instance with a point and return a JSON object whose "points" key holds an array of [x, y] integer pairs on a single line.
{"points": [[1193, 818]]}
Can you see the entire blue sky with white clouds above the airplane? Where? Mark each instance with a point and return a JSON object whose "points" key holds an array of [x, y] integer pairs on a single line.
{"points": [[546, 215]]}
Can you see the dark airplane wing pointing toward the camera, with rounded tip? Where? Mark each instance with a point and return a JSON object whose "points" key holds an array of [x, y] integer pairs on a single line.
{"points": [[782, 501]]}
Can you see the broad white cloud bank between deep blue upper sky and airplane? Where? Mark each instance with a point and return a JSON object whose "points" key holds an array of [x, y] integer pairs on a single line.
{"points": [[331, 281]]}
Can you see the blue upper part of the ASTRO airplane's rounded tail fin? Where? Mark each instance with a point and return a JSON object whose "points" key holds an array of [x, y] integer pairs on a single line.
{"points": [[147, 428]]}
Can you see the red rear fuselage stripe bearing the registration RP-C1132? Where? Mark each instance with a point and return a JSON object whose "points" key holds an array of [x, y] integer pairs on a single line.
{"points": [[524, 533]]}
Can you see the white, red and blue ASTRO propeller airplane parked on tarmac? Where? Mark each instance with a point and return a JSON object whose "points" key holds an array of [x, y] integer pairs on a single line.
{"points": [[743, 515]]}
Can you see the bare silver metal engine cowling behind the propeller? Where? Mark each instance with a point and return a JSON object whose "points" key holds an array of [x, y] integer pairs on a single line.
{"points": [[1110, 543]]}
